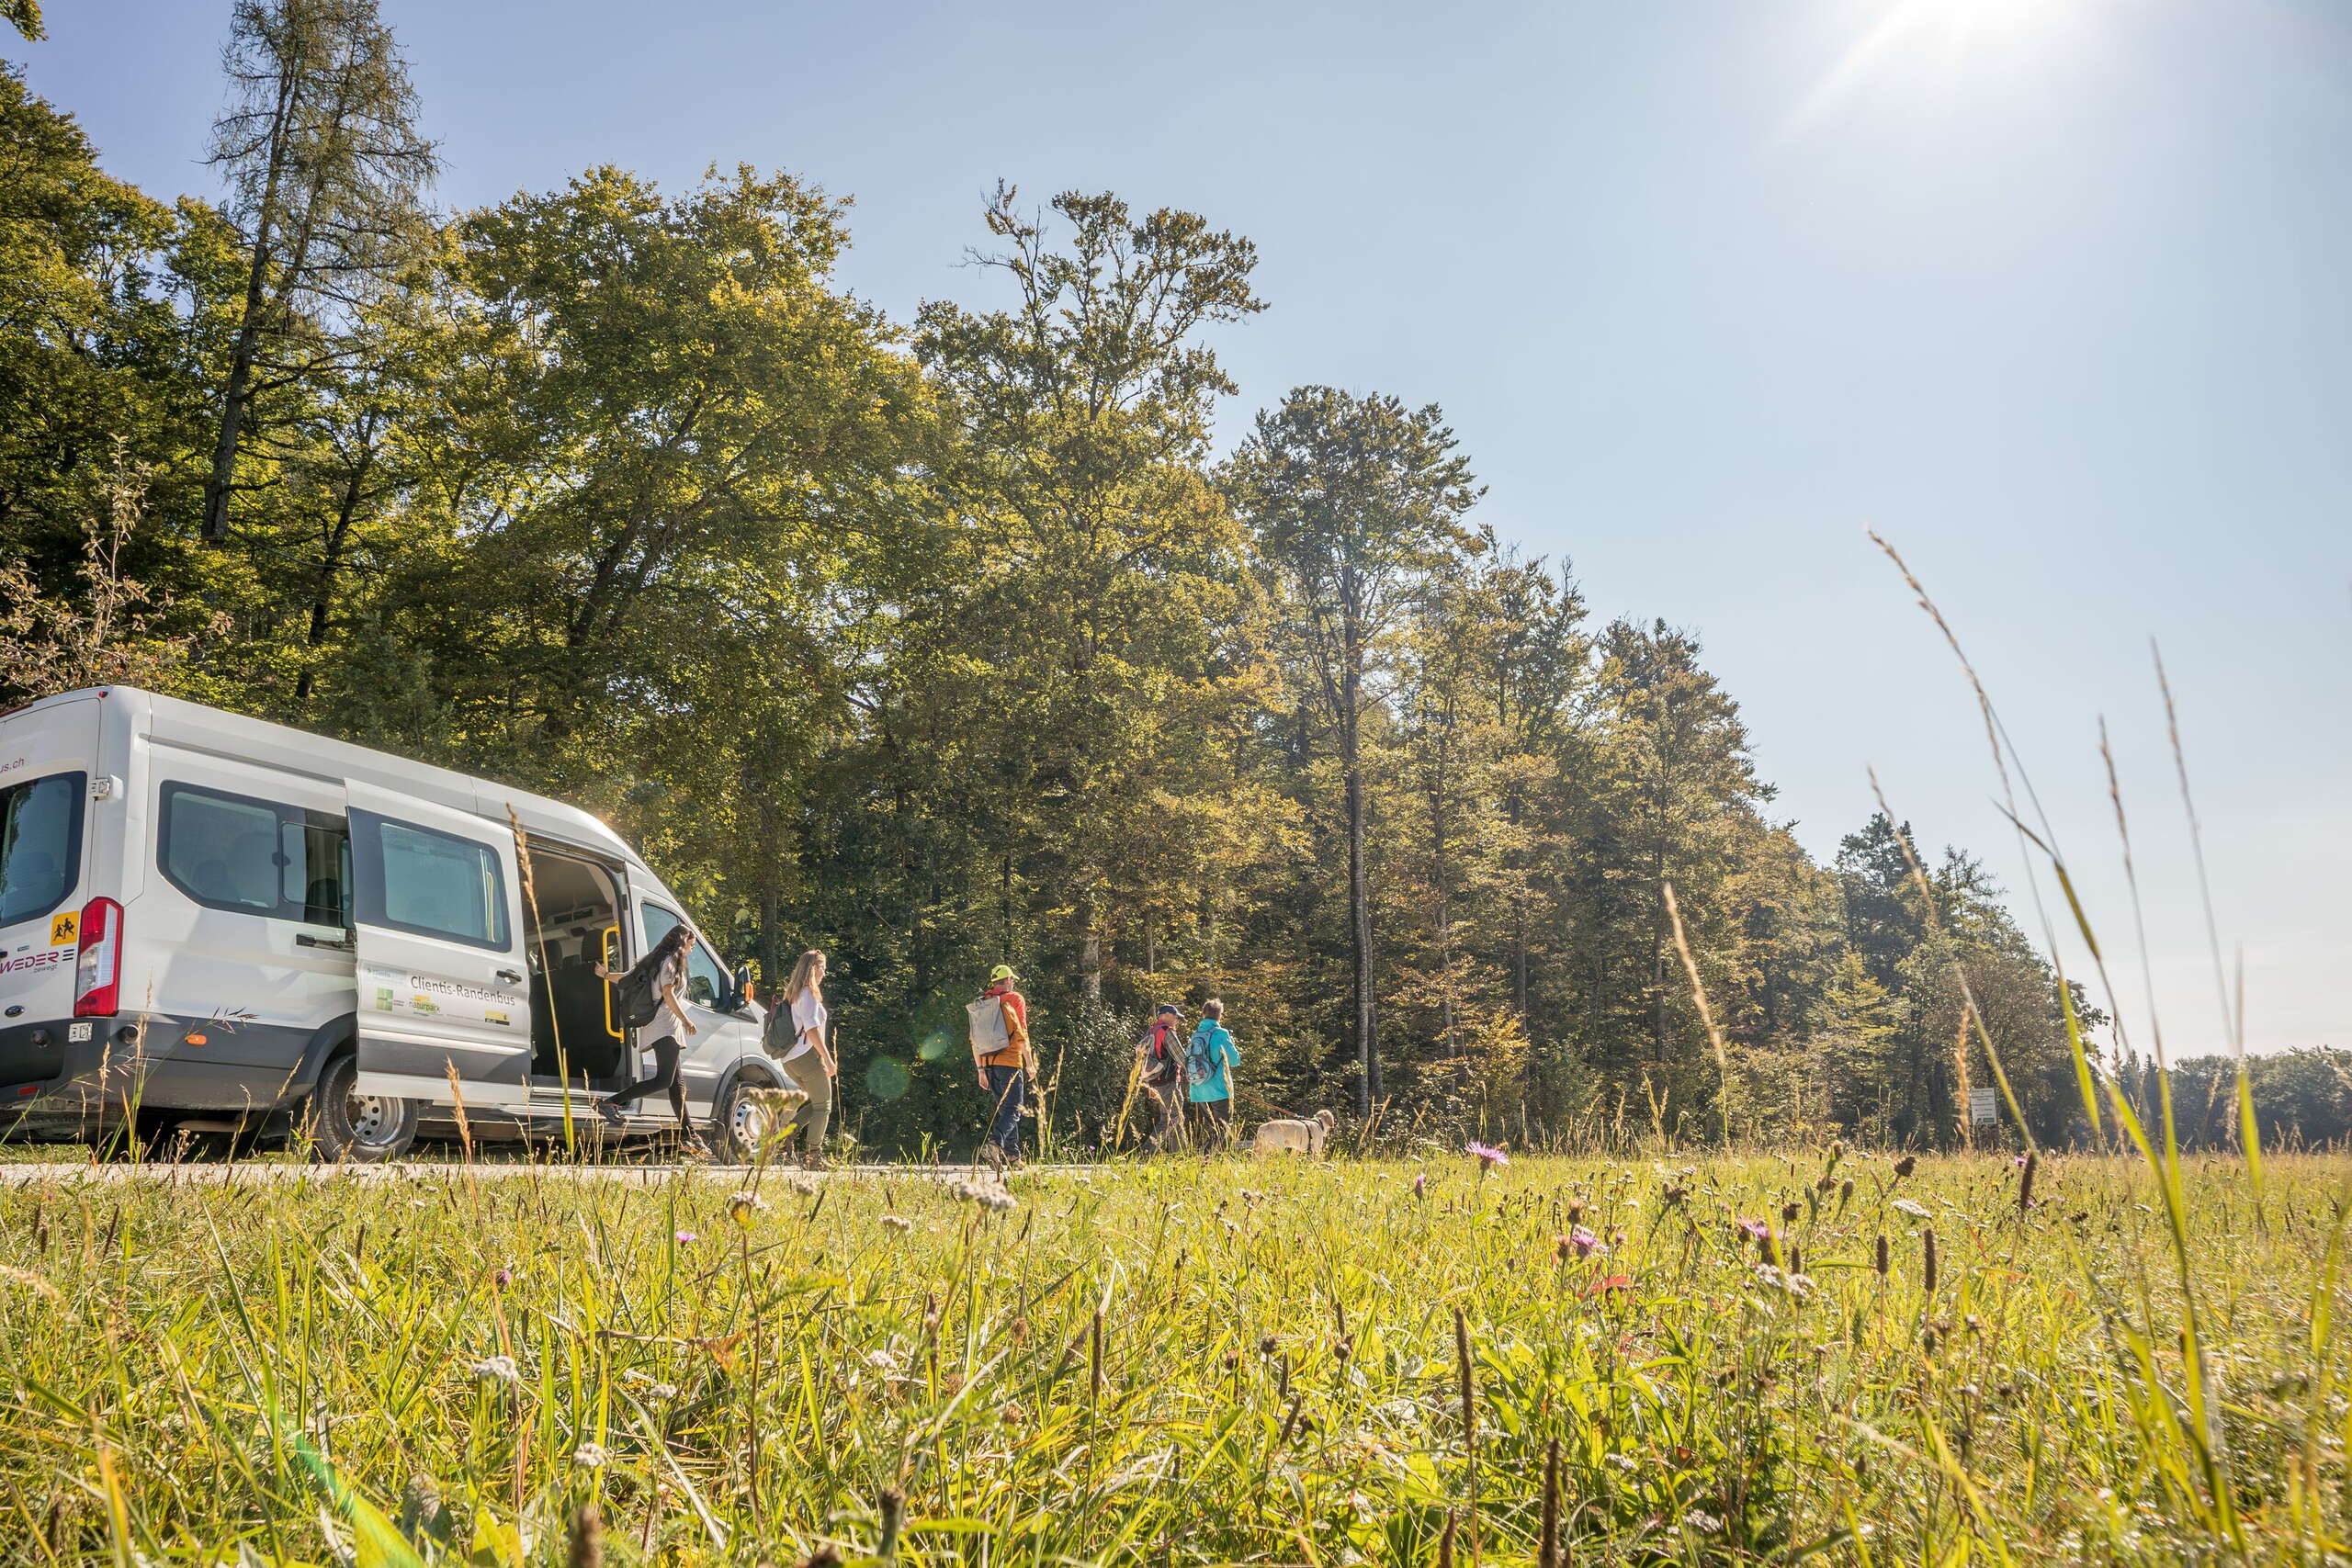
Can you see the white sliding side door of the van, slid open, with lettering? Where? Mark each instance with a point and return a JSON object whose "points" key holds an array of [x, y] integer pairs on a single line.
{"points": [[443, 984]]}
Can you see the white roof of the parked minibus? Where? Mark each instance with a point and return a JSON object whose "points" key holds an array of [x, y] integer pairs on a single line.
{"points": [[298, 751]]}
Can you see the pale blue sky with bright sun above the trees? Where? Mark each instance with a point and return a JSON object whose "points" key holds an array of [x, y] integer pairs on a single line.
{"points": [[2050, 293]]}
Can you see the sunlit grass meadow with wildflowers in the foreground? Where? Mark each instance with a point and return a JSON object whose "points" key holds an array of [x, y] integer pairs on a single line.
{"points": [[1666, 1360]]}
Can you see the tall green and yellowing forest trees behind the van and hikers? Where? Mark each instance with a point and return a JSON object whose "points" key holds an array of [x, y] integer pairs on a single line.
{"points": [[947, 643]]}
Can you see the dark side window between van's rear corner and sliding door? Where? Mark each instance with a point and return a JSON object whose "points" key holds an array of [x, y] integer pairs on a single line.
{"points": [[255, 857]]}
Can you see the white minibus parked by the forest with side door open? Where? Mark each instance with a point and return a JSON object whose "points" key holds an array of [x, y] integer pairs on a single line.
{"points": [[232, 927]]}
